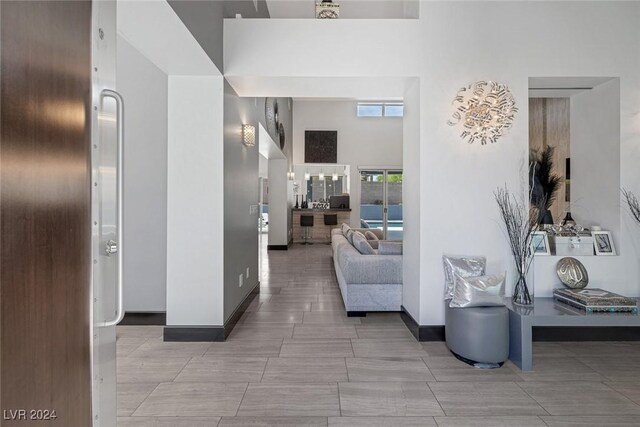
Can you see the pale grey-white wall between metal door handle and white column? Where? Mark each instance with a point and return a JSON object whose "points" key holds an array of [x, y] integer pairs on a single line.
{"points": [[144, 88]]}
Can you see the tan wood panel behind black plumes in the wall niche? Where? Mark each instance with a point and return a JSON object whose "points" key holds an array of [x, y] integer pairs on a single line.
{"points": [[549, 124]]}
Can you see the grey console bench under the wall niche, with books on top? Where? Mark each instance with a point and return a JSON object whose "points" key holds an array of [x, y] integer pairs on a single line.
{"points": [[547, 312]]}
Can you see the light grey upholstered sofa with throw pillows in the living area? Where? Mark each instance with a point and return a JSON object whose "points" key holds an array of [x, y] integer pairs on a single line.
{"points": [[368, 282]]}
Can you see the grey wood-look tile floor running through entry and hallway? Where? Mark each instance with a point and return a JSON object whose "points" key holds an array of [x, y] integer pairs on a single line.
{"points": [[296, 359]]}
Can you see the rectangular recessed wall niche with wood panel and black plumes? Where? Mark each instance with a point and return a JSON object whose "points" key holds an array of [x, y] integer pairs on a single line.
{"points": [[574, 142]]}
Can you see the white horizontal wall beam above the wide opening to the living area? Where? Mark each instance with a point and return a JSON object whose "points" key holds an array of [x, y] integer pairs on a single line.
{"points": [[362, 47]]}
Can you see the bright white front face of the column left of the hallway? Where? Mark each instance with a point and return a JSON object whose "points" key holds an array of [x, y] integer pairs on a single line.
{"points": [[195, 208]]}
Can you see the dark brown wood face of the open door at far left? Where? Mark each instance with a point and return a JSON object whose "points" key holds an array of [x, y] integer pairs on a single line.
{"points": [[45, 247]]}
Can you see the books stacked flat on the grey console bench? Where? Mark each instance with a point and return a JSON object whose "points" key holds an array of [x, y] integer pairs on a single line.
{"points": [[594, 300]]}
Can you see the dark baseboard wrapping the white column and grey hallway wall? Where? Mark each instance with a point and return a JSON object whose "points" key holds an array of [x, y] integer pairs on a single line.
{"points": [[210, 333]]}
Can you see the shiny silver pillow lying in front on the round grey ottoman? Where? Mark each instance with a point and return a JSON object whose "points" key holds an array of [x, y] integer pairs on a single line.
{"points": [[483, 291]]}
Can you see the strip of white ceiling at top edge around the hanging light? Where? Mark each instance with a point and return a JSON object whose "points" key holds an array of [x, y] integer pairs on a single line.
{"points": [[349, 9]]}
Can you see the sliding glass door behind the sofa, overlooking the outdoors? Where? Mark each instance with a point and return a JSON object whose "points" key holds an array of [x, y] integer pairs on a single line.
{"points": [[381, 201]]}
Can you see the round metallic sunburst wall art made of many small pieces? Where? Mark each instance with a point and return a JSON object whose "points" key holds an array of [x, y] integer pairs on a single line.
{"points": [[485, 110]]}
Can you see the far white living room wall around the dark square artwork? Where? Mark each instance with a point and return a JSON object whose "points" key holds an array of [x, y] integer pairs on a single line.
{"points": [[362, 141]]}
